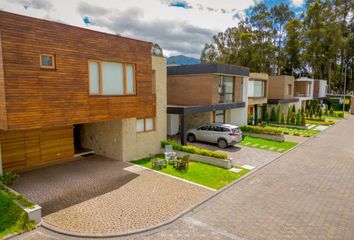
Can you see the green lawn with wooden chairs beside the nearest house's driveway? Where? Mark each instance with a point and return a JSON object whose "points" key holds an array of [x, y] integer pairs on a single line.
{"points": [[201, 173]]}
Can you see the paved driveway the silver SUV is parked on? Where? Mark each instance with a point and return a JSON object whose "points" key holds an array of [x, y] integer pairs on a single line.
{"points": [[242, 155]]}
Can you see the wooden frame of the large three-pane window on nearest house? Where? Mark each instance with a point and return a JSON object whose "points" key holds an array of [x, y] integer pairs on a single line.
{"points": [[100, 92]]}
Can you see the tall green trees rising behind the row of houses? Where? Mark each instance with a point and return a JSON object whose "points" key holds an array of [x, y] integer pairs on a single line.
{"points": [[317, 43]]}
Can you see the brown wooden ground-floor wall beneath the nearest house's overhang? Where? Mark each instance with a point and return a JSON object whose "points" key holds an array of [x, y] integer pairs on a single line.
{"points": [[21, 150]]}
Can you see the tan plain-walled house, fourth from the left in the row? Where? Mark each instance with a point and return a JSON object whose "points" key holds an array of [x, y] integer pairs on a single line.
{"points": [[281, 91]]}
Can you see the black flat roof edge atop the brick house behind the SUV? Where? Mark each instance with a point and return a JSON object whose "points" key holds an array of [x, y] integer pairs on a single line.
{"points": [[208, 68]]}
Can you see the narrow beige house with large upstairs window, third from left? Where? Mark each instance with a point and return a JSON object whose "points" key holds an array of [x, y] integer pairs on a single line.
{"points": [[257, 95]]}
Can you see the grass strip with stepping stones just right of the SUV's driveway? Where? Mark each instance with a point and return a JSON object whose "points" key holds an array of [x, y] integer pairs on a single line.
{"points": [[267, 144]]}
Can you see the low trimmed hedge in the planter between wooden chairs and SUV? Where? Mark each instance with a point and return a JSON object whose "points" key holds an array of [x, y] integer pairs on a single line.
{"points": [[193, 150]]}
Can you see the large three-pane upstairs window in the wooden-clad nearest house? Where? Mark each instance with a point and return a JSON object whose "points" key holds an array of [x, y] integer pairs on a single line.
{"points": [[110, 78]]}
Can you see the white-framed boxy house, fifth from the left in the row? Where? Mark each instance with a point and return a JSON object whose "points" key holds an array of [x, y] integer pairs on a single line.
{"points": [[304, 90]]}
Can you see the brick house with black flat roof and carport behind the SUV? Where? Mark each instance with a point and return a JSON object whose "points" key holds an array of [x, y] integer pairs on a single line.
{"points": [[205, 93]]}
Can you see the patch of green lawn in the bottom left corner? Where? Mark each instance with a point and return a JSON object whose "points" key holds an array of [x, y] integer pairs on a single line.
{"points": [[12, 218]]}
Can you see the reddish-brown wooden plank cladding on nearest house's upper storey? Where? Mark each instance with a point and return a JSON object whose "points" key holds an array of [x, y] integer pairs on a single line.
{"points": [[42, 98]]}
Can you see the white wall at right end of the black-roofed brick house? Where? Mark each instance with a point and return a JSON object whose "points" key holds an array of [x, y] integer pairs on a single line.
{"points": [[238, 116]]}
